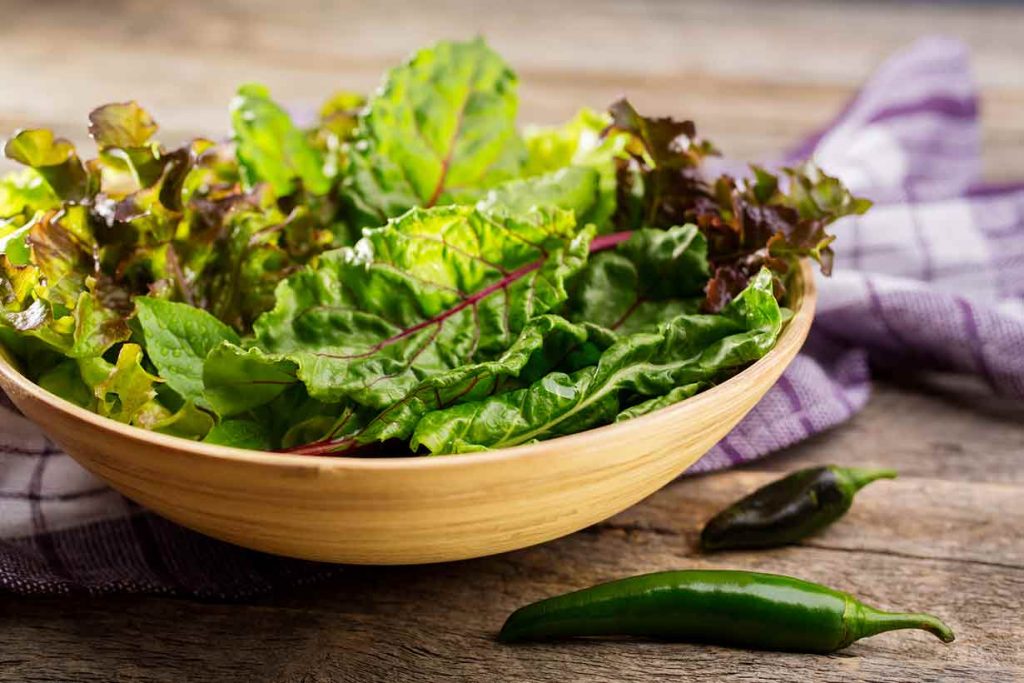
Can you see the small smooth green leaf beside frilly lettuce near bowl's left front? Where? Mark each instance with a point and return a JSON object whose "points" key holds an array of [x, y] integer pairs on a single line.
{"points": [[178, 339]]}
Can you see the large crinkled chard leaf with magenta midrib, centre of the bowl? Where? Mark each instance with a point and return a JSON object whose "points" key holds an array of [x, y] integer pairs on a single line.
{"points": [[432, 291]]}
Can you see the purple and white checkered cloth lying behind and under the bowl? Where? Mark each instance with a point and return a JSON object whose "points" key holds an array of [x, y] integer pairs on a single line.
{"points": [[933, 277]]}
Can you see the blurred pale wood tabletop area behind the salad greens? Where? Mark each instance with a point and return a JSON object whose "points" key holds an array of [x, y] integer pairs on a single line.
{"points": [[798, 63]]}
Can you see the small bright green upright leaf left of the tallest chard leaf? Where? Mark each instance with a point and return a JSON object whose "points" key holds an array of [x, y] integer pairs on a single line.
{"points": [[271, 149]]}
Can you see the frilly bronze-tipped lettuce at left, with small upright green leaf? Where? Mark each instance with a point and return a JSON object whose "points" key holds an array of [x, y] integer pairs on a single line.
{"points": [[142, 220]]}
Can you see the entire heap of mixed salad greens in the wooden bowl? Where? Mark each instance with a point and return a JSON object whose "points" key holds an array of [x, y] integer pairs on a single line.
{"points": [[411, 273]]}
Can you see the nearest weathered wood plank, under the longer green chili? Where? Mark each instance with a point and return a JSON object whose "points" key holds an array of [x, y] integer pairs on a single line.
{"points": [[429, 623]]}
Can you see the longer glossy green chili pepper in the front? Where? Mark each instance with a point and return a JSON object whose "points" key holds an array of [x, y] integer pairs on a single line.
{"points": [[748, 610]]}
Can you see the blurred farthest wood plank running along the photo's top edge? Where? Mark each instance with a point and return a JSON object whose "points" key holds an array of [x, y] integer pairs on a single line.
{"points": [[701, 36]]}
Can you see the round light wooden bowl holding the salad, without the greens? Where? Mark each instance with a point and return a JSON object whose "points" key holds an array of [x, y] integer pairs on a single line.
{"points": [[407, 510]]}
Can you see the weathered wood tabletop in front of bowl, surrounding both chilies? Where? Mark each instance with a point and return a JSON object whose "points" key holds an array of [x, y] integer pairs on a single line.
{"points": [[954, 550]]}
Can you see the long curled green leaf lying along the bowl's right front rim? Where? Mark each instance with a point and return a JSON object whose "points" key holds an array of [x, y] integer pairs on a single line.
{"points": [[686, 351]]}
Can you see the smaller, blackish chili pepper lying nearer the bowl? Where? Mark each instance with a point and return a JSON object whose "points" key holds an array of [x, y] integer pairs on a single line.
{"points": [[789, 509]]}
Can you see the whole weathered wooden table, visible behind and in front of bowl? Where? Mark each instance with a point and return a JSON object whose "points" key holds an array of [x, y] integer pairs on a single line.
{"points": [[947, 536]]}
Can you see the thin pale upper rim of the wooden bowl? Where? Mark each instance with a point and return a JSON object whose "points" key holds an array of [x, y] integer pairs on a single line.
{"points": [[804, 304]]}
